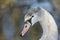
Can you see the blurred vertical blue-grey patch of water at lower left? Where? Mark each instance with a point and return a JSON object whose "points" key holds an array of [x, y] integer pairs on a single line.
{"points": [[8, 27]]}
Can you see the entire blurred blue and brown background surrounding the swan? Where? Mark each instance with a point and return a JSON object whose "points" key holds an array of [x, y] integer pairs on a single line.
{"points": [[12, 18]]}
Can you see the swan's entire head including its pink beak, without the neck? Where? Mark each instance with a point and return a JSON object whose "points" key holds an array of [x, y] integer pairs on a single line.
{"points": [[30, 19]]}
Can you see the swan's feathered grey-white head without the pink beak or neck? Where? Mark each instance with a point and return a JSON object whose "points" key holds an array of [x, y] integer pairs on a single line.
{"points": [[32, 15]]}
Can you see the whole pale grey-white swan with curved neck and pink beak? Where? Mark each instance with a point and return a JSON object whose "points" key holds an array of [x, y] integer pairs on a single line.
{"points": [[38, 14]]}
